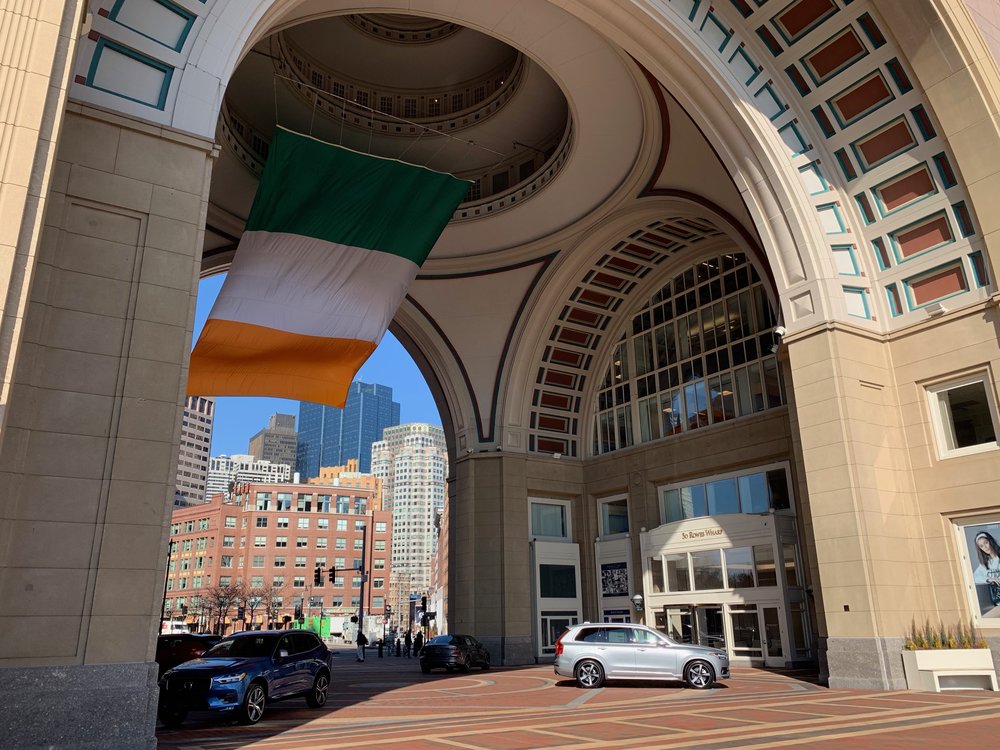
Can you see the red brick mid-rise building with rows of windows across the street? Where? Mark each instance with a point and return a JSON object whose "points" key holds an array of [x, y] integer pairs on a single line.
{"points": [[259, 553]]}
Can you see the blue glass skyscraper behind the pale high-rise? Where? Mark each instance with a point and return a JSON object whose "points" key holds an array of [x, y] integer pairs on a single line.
{"points": [[329, 436]]}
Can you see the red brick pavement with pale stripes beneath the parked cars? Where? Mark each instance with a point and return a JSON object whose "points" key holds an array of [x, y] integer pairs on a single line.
{"points": [[387, 703]]}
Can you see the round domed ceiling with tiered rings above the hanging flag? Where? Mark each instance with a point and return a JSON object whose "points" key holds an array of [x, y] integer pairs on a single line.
{"points": [[427, 92]]}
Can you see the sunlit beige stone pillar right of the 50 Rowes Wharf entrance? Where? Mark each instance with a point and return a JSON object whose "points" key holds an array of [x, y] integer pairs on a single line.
{"points": [[870, 563]]}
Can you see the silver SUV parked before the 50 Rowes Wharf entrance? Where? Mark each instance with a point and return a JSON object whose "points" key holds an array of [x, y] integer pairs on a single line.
{"points": [[595, 652]]}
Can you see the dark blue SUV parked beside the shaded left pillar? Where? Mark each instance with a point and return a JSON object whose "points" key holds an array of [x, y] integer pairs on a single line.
{"points": [[243, 672]]}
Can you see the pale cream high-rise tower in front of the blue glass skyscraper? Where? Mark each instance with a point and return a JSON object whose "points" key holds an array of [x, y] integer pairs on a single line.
{"points": [[412, 461]]}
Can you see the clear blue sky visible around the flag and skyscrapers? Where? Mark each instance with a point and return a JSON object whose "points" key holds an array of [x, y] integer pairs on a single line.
{"points": [[239, 419]]}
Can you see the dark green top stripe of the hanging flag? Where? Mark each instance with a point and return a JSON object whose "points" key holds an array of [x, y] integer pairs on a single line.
{"points": [[328, 192]]}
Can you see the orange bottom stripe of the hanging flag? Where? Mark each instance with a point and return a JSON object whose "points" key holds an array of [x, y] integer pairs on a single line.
{"points": [[240, 359]]}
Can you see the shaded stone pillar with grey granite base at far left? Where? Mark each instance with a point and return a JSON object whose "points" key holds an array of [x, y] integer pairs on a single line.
{"points": [[88, 456]]}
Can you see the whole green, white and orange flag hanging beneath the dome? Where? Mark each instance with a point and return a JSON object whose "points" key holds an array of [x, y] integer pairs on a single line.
{"points": [[332, 243]]}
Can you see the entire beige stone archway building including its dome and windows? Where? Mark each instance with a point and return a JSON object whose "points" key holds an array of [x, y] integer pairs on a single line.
{"points": [[597, 364]]}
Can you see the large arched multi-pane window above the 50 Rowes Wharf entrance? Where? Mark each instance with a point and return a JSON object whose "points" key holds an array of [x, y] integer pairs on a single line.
{"points": [[699, 353]]}
